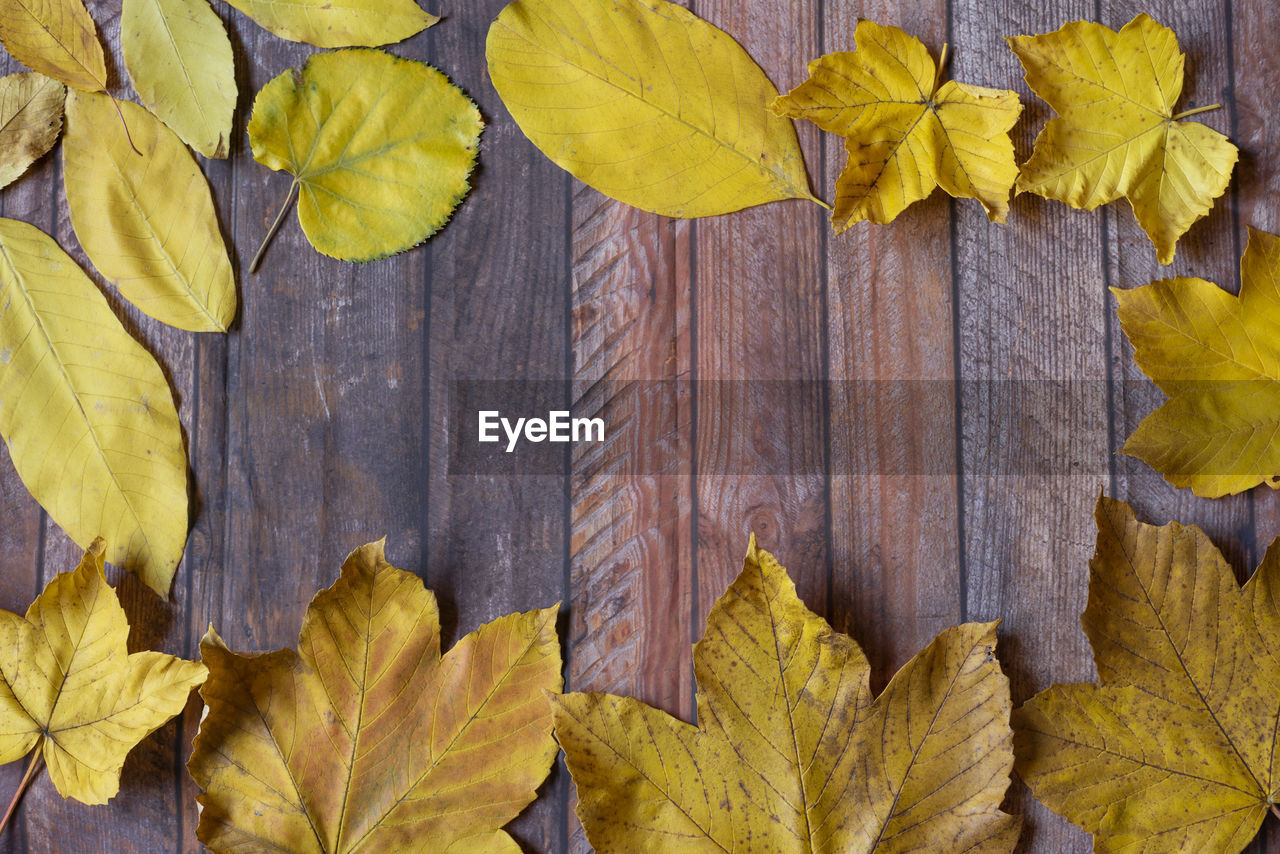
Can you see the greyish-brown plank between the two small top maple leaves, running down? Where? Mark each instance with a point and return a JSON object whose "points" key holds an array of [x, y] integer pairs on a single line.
{"points": [[1030, 313]]}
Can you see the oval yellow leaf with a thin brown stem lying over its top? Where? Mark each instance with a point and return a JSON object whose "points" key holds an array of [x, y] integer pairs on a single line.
{"points": [[148, 223]]}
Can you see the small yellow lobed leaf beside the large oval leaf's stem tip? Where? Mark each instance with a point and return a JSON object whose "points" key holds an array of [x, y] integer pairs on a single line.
{"points": [[906, 131]]}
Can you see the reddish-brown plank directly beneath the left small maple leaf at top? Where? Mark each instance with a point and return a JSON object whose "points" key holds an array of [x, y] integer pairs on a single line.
{"points": [[894, 510]]}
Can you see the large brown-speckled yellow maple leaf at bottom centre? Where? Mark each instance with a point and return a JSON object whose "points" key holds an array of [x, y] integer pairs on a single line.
{"points": [[792, 753]]}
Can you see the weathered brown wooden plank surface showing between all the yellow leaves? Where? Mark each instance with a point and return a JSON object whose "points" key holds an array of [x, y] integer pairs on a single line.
{"points": [[916, 418]]}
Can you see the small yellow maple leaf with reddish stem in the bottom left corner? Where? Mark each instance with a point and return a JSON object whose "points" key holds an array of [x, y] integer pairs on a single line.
{"points": [[72, 689]]}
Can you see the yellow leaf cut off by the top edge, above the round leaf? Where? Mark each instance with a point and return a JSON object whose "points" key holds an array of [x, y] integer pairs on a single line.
{"points": [[339, 24]]}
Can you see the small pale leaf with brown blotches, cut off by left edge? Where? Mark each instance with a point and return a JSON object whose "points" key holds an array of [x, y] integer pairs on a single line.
{"points": [[31, 118]]}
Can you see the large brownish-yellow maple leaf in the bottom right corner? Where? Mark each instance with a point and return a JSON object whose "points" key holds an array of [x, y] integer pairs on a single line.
{"points": [[1173, 750]]}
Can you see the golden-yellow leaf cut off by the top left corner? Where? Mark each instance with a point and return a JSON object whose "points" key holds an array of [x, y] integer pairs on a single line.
{"points": [[57, 39]]}
